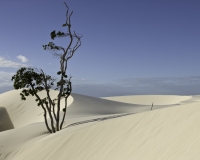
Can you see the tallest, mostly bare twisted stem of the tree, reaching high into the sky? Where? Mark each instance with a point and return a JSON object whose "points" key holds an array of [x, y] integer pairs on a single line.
{"points": [[63, 84]]}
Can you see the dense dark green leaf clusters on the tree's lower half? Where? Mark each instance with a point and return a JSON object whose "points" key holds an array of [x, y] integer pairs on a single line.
{"points": [[33, 81]]}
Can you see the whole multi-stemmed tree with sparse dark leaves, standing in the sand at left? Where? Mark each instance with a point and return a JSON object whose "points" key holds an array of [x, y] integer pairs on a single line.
{"points": [[34, 80]]}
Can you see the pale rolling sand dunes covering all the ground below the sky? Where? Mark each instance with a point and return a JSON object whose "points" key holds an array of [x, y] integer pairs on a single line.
{"points": [[110, 128]]}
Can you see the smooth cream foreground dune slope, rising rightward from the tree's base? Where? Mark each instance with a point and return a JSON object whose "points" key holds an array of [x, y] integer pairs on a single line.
{"points": [[170, 133]]}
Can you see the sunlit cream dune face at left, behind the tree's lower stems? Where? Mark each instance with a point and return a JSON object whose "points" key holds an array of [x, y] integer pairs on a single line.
{"points": [[24, 112]]}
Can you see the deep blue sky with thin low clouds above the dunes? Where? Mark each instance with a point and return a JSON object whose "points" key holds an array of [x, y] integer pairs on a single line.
{"points": [[123, 42]]}
